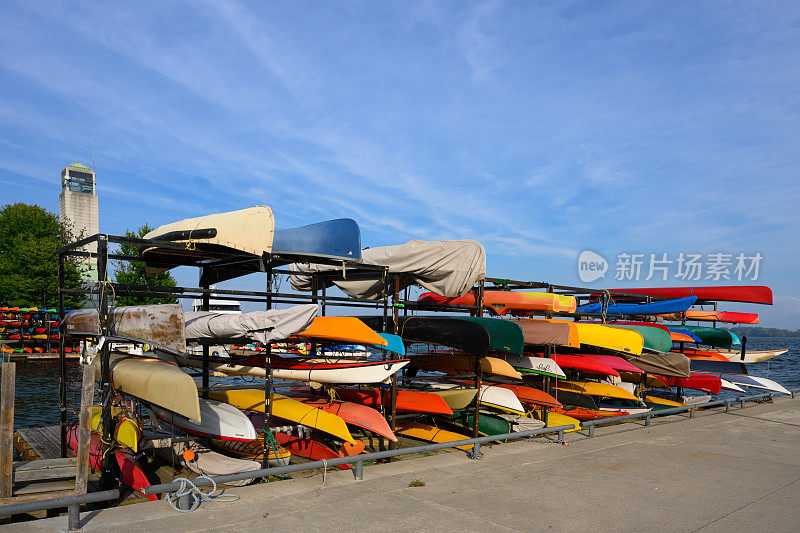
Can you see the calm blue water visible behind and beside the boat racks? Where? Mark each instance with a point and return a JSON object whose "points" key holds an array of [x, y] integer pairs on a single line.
{"points": [[37, 381]]}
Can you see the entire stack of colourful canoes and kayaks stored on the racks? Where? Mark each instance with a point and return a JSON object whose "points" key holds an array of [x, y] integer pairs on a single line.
{"points": [[293, 385]]}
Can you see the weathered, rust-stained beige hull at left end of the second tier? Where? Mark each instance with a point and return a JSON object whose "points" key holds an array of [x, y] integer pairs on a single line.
{"points": [[159, 325]]}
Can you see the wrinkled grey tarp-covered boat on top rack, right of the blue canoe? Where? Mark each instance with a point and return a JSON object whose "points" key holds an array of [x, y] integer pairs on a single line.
{"points": [[448, 268]]}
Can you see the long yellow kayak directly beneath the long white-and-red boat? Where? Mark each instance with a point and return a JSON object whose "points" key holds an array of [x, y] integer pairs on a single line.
{"points": [[287, 408]]}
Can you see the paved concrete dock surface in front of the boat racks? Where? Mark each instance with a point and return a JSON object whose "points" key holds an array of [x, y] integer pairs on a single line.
{"points": [[727, 472]]}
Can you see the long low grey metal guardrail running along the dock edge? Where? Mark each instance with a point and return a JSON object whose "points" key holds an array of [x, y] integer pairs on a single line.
{"points": [[73, 502]]}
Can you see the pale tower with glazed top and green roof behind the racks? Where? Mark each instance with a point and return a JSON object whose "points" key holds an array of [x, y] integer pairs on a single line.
{"points": [[78, 207]]}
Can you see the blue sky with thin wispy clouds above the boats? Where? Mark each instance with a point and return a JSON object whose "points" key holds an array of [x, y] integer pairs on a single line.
{"points": [[540, 129]]}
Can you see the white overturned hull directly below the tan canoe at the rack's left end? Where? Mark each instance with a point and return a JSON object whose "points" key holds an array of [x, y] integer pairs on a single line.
{"points": [[219, 420]]}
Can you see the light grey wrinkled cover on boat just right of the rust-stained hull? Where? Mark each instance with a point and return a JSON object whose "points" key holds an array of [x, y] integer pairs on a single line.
{"points": [[258, 326]]}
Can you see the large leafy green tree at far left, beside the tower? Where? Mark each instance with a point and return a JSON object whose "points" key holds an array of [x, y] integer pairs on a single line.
{"points": [[30, 237]]}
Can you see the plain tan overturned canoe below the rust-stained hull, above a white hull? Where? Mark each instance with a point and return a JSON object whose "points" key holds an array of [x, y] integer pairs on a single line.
{"points": [[154, 381]]}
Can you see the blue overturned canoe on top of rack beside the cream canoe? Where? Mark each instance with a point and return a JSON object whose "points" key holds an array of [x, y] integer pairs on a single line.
{"points": [[338, 238]]}
